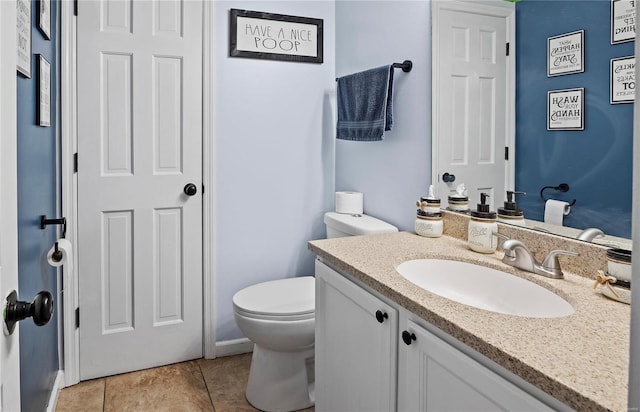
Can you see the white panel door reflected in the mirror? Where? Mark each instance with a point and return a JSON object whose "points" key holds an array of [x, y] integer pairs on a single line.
{"points": [[471, 100]]}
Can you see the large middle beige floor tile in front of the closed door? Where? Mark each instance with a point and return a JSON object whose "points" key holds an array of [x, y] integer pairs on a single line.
{"points": [[178, 387]]}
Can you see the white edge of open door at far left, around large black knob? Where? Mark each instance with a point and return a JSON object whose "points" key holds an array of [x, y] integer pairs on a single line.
{"points": [[9, 345]]}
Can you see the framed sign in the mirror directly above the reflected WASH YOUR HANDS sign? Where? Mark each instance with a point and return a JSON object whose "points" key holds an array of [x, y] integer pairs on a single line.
{"points": [[565, 54]]}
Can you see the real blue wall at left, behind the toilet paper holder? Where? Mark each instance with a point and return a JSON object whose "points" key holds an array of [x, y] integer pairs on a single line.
{"points": [[37, 196]]}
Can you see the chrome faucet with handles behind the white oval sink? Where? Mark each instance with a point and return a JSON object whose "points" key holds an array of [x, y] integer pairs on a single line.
{"points": [[518, 255]]}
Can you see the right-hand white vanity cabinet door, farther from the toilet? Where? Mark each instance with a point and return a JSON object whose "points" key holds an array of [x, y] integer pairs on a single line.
{"points": [[435, 376]]}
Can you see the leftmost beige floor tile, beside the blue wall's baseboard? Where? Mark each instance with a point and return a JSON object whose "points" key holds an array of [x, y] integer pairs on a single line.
{"points": [[86, 396]]}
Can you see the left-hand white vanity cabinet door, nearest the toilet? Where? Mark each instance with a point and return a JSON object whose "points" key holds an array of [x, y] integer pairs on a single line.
{"points": [[355, 352]]}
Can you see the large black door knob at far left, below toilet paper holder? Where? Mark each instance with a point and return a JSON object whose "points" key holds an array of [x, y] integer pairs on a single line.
{"points": [[40, 309]]}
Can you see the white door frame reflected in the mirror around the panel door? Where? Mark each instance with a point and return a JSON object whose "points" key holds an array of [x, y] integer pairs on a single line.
{"points": [[488, 7]]}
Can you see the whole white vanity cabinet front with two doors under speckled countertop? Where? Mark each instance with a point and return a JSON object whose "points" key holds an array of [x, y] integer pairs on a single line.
{"points": [[399, 364]]}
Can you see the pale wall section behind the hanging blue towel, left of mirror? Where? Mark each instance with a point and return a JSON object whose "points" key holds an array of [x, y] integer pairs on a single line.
{"points": [[395, 172]]}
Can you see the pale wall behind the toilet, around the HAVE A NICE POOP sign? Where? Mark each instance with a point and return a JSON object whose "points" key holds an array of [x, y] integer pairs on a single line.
{"points": [[274, 144]]}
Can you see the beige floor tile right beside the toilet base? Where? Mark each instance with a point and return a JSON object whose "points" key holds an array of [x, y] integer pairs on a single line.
{"points": [[226, 380]]}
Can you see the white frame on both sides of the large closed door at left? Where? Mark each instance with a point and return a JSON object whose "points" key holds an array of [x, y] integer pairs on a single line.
{"points": [[69, 147]]}
